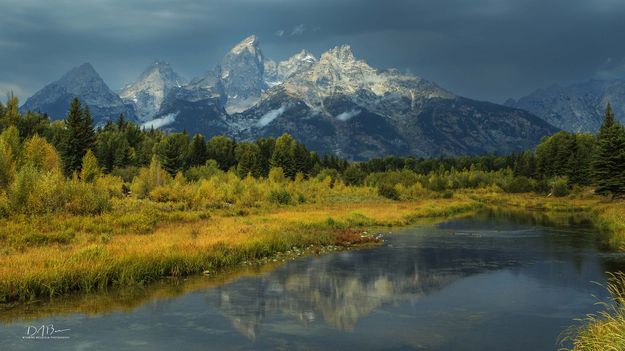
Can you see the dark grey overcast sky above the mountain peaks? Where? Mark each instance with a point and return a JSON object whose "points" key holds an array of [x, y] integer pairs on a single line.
{"points": [[483, 49]]}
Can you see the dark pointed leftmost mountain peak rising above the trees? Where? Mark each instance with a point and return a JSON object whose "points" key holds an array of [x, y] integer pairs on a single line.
{"points": [[86, 84]]}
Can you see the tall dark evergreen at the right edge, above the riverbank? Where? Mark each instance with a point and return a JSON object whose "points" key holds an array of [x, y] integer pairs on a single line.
{"points": [[609, 157]]}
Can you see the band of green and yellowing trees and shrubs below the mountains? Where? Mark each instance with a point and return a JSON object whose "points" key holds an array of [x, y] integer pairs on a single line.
{"points": [[46, 165]]}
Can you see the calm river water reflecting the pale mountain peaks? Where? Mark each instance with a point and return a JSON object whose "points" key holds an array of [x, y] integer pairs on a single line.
{"points": [[490, 282]]}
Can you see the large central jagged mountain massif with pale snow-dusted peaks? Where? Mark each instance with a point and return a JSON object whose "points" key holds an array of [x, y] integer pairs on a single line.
{"points": [[335, 103]]}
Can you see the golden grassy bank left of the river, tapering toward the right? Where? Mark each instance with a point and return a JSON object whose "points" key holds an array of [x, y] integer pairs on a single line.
{"points": [[90, 256]]}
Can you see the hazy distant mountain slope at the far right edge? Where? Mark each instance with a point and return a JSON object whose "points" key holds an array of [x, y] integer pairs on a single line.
{"points": [[578, 107]]}
